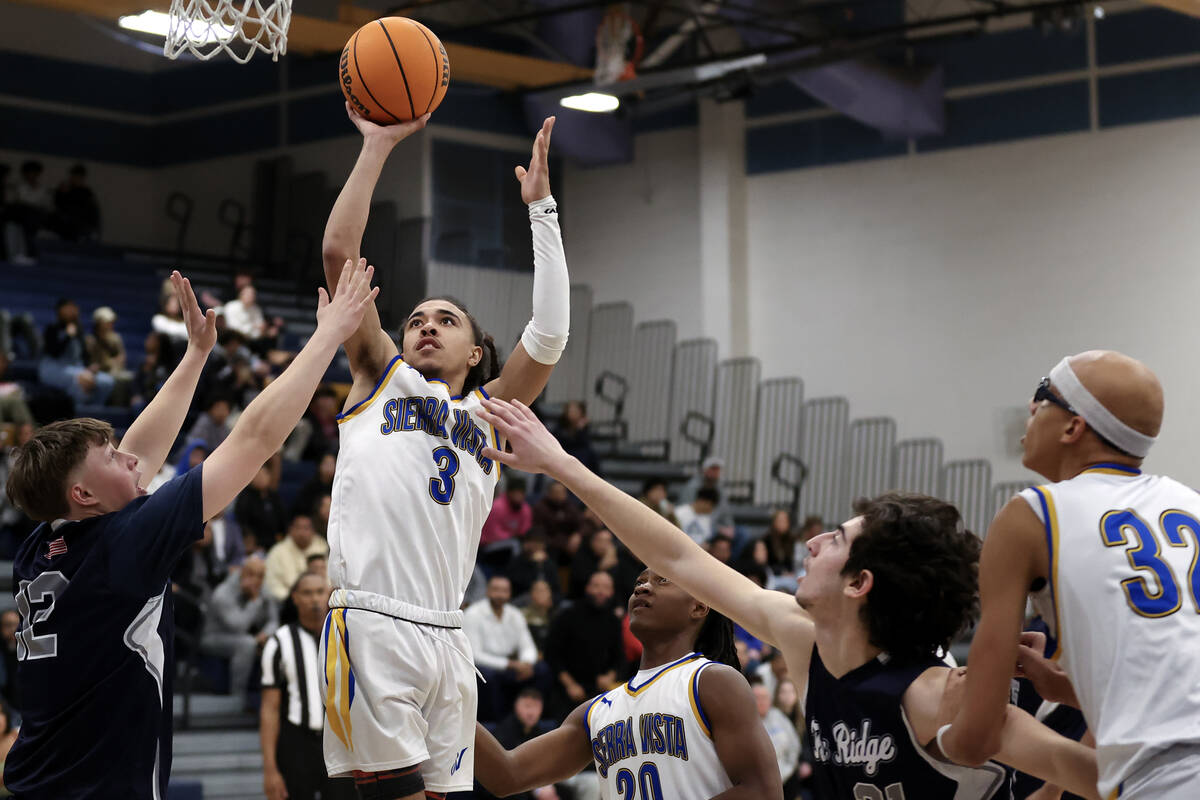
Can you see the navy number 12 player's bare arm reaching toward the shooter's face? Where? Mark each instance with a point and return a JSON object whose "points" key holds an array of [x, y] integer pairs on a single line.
{"points": [[272, 417]]}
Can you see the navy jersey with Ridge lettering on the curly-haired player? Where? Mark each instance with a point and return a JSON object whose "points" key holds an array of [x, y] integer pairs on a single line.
{"points": [[865, 748]]}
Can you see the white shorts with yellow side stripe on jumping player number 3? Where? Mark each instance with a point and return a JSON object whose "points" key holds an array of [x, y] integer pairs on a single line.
{"points": [[398, 694]]}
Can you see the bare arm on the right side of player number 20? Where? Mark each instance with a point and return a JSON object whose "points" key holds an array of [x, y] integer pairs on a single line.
{"points": [[740, 737]]}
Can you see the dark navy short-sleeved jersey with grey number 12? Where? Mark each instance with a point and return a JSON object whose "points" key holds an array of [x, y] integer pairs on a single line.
{"points": [[95, 649]]}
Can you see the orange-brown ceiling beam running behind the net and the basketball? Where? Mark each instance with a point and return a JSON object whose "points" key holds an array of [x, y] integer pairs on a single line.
{"points": [[309, 35]]}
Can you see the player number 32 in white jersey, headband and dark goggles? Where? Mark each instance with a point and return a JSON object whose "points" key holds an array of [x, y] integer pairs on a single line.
{"points": [[1109, 556]]}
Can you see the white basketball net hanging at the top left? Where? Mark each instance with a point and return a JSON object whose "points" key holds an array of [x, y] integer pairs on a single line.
{"points": [[236, 27]]}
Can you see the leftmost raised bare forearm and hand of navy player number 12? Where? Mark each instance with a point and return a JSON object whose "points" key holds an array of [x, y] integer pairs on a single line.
{"points": [[154, 432]]}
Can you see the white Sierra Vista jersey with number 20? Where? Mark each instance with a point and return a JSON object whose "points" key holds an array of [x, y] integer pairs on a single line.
{"points": [[651, 739]]}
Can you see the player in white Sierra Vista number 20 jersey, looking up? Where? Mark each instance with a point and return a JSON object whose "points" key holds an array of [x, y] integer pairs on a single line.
{"points": [[685, 727]]}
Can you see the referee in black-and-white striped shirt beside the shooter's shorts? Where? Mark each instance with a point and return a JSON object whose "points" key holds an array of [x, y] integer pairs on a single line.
{"points": [[293, 713]]}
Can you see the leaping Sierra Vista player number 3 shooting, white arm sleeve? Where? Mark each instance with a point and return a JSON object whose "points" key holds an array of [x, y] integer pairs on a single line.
{"points": [[411, 496]]}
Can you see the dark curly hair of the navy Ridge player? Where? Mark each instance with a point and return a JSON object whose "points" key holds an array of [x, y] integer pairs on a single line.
{"points": [[926, 567]]}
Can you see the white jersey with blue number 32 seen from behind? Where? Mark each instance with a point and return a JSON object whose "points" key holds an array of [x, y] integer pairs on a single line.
{"points": [[1124, 603]]}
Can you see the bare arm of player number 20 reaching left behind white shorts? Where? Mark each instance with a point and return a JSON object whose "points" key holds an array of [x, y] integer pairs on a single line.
{"points": [[547, 760]]}
